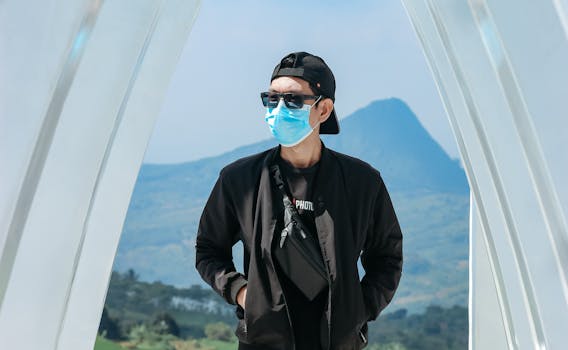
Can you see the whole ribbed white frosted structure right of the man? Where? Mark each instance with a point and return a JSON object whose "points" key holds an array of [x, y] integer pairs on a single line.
{"points": [[501, 71]]}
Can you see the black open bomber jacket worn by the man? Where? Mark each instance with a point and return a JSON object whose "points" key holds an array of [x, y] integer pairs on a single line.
{"points": [[354, 218]]}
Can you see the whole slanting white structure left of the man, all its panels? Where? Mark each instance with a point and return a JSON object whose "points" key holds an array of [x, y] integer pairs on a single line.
{"points": [[89, 123]]}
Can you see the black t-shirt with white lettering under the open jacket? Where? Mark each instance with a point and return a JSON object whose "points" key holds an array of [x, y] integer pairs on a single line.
{"points": [[306, 316]]}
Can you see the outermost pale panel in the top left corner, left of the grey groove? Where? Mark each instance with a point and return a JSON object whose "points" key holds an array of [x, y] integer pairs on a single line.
{"points": [[26, 95]]}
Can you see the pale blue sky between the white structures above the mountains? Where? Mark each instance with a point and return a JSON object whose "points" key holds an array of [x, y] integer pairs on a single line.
{"points": [[213, 106]]}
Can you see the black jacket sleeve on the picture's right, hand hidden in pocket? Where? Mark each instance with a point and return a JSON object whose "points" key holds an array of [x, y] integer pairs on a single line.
{"points": [[382, 255]]}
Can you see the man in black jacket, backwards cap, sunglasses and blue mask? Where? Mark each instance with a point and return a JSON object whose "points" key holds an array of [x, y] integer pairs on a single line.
{"points": [[336, 203]]}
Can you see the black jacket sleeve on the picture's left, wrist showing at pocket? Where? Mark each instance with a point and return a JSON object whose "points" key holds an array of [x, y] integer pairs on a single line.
{"points": [[216, 235]]}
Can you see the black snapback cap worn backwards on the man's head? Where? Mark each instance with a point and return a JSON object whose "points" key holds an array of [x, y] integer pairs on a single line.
{"points": [[315, 71]]}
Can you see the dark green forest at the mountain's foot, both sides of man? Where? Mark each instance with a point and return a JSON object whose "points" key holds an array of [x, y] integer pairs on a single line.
{"points": [[155, 316]]}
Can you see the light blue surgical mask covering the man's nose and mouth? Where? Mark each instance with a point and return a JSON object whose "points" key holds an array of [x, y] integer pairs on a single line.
{"points": [[289, 126]]}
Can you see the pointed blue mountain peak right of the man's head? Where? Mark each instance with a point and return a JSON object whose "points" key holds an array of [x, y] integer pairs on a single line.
{"points": [[389, 136]]}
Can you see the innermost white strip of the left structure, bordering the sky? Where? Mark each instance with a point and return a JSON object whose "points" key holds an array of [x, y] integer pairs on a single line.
{"points": [[119, 172]]}
